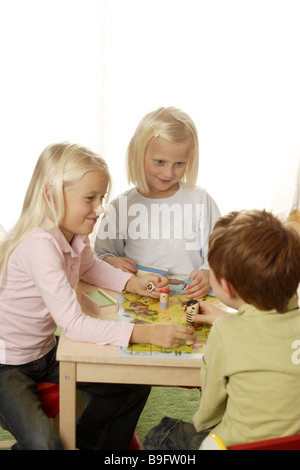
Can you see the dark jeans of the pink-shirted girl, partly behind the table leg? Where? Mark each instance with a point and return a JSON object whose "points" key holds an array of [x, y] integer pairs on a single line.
{"points": [[108, 422]]}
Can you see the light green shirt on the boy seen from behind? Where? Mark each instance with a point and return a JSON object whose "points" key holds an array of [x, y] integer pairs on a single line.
{"points": [[253, 358]]}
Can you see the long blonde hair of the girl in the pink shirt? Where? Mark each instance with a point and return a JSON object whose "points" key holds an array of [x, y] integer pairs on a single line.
{"points": [[60, 165]]}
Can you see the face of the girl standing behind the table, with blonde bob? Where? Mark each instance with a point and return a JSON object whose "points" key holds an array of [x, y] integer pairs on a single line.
{"points": [[164, 164]]}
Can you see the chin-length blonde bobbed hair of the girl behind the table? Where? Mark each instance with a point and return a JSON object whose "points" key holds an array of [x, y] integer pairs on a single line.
{"points": [[168, 123]]}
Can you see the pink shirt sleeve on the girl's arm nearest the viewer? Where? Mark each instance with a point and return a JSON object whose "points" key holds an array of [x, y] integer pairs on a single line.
{"points": [[46, 268]]}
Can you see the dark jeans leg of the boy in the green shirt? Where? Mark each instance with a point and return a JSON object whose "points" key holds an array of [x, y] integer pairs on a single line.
{"points": [[173, 434]]}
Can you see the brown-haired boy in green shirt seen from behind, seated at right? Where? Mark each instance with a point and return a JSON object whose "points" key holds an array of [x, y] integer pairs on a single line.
{"points": [[250, 373]]}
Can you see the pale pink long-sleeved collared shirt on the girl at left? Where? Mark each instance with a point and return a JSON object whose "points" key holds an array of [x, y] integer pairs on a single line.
{"points": [[39, 295]]}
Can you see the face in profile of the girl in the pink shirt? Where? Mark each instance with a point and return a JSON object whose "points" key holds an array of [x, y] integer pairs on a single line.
{"points": [[82, 201]]}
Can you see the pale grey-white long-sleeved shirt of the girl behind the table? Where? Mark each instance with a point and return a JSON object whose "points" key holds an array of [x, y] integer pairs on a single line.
{"points": [[170, 232]]}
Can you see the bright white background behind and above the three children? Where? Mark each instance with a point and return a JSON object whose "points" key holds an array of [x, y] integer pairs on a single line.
{"points": [[87, 71]]}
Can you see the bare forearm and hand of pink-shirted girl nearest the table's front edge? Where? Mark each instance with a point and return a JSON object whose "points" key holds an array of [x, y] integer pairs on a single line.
{"points": [[165, 335]]}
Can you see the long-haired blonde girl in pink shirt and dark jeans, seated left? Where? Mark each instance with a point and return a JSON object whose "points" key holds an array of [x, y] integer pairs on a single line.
{"points": [[41, 260]]}
